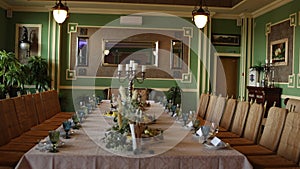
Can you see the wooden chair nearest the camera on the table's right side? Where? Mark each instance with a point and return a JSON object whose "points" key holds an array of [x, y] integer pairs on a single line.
{"points": [[289, 147]]}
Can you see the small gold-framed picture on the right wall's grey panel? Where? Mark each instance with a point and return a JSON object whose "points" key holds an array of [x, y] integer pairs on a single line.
{"points": [[279, 52]]}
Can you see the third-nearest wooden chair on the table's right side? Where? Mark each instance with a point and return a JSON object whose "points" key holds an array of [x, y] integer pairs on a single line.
{"points": [[252, 126]]}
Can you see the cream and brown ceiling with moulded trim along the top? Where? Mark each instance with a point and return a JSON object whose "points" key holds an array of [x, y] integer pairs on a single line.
{"points": [[218, 8]]}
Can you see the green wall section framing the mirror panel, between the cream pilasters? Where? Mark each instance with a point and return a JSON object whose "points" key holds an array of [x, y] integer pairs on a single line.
{"points": [[155, 22]]}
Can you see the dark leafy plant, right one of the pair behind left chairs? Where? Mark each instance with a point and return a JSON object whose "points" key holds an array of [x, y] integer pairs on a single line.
{"points": [[39, 77]]}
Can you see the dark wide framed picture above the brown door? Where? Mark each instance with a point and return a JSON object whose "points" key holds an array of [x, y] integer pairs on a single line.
{"points": [[225, 40]]}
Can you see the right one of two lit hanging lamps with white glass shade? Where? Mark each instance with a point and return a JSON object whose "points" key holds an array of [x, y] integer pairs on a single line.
{"points": [[200, 16]]}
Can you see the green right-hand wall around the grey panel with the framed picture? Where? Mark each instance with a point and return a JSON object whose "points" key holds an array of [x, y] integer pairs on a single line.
{"points": [[259, 52]]}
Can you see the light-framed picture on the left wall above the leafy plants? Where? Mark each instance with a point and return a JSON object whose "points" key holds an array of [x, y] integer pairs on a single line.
{"points": [[31, 33]]}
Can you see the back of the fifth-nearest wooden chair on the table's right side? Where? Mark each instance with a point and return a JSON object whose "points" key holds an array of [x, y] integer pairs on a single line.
{"points": [[227, 115]]}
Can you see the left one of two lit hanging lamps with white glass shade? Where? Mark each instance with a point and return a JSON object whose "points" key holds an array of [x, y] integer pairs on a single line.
{"points": [[60, 12]]}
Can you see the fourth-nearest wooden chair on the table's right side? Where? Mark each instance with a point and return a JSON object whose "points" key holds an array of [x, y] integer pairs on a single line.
{"points": [[238, 123]]}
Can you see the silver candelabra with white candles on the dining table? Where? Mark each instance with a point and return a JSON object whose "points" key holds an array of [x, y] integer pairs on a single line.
{"points": [[131, 75]]}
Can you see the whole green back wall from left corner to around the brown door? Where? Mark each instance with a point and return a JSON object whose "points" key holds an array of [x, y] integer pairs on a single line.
{"points": [[51, 32]]}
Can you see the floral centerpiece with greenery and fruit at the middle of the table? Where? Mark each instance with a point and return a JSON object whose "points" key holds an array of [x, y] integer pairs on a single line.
{"points": [[130, 113]]}
